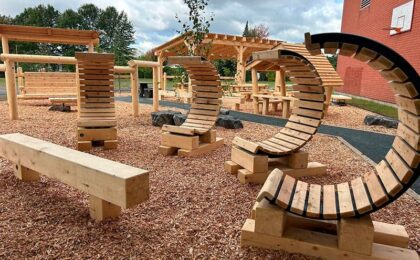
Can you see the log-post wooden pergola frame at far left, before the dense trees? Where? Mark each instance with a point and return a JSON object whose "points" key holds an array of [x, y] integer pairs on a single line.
{"points": [[38, 35]]}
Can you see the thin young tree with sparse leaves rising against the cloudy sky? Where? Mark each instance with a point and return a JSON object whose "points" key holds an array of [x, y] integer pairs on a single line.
{"points": [[197, 26]]}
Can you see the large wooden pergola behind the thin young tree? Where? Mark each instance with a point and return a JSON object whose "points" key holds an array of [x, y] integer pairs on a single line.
{"points": [[223, 46]]}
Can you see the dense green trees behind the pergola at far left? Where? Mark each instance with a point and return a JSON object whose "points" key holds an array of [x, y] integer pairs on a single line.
{"points": [[116, 31]]}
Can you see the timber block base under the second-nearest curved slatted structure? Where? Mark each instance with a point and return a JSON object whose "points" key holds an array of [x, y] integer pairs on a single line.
{"points": [[252, 168]]}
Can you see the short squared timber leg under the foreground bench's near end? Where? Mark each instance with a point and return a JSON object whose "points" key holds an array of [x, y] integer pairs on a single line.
{"points": [[100, 209]]}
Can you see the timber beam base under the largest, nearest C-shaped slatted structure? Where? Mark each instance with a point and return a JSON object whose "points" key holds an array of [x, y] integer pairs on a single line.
{"points": [[354, 238]]}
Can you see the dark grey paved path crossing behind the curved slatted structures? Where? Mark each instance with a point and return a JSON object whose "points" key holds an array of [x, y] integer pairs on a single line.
{"points": [[372, 145]]}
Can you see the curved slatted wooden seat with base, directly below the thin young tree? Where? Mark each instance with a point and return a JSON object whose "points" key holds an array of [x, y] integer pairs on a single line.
{"points": [[195, 135]]}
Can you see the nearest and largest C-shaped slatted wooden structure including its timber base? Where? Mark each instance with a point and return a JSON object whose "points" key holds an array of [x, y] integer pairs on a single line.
{"points": [[350, 203]]}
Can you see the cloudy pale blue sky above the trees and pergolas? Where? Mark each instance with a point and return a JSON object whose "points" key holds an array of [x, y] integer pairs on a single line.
{"points": [[154, 20]]}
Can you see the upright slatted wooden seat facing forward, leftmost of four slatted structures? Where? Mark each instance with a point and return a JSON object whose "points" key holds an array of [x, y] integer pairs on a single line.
{"points": [[96, 107]]}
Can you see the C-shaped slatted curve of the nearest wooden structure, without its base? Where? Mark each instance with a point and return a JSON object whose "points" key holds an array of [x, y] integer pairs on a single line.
{"points": [[393, 175]]}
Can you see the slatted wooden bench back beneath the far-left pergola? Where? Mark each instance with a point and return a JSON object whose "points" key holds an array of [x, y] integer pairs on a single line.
{"points": [[44, 85]]}
